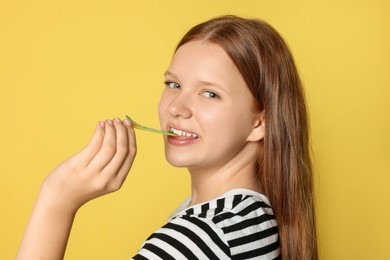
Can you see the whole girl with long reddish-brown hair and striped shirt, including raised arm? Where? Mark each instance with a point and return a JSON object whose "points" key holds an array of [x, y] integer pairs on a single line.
{"points": [[234, 99]]}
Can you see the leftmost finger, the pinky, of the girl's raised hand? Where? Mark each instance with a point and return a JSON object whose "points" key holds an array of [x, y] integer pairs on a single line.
{"points": [[94, 145]]}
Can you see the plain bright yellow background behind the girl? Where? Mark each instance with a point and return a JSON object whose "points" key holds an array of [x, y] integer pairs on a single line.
{"points": [[65, 65]]}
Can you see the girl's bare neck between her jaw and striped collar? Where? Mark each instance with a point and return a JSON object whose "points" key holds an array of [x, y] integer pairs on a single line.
{"points": [[239, 173]]}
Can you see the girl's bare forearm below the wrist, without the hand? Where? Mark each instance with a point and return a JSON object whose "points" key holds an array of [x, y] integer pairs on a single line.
{"points": [[47, 231]]}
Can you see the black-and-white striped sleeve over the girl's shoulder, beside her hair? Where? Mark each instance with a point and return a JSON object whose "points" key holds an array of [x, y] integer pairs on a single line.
{"points": [[249, 227]]}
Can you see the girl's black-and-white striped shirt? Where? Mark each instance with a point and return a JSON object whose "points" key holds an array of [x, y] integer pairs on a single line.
{"points": [[237, 225]]}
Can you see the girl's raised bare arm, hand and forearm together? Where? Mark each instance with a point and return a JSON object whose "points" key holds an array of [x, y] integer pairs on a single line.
{"points": [[100, 168]]}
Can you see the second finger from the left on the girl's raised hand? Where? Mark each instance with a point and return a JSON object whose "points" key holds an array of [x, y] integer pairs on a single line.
{"points": [[107, 150]]}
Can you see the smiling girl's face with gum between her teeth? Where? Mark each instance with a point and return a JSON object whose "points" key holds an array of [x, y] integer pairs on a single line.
{"points": [[208, 103]]}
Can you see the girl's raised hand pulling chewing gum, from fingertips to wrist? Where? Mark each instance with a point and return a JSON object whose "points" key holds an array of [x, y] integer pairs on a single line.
{"points": [[100, 168]]}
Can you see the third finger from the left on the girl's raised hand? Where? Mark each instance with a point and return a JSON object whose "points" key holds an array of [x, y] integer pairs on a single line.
{"points": [[122, 150]]}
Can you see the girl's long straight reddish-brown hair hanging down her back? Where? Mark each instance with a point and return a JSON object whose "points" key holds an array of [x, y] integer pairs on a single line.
{"points": [[284, 164]]}
